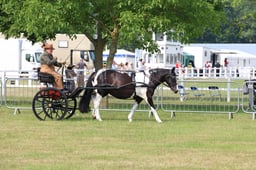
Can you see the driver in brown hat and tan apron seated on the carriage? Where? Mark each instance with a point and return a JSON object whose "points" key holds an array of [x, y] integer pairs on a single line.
{"points": [[47, 65]]}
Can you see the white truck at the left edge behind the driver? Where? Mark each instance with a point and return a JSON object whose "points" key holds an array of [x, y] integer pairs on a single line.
{"points": [[19, 55]]}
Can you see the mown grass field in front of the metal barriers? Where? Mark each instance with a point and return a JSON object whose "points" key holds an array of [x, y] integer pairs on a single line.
{"points": [[188, 141]]}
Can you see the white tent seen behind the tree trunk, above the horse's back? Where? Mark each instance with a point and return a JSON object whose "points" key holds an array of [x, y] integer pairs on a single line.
{"points": [[121, 56]]}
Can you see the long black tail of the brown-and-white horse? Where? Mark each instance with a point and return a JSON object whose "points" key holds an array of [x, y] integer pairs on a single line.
{"points": [[86, 98]]}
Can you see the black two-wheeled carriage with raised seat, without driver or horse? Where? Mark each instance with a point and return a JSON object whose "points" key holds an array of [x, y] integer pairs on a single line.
{"points": [[52, 103]]}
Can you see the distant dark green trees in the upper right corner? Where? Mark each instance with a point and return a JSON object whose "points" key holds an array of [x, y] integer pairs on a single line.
{"points": [[239, 27]]}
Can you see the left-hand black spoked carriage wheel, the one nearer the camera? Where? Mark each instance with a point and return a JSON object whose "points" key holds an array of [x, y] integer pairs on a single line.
{"points": [[51, 103]]}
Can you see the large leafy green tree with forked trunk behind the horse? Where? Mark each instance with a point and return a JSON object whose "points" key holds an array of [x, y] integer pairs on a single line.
{"points": [[110, 21]]}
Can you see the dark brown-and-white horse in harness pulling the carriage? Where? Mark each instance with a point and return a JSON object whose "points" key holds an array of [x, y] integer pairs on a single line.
{"points": [[123, 85]]}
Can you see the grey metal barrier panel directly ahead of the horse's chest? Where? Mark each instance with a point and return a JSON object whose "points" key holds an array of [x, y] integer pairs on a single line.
{"points": [[202, 96]]}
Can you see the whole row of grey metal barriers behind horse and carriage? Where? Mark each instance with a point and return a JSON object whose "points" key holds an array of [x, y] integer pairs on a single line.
{"points": [[17, 93]]}
